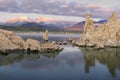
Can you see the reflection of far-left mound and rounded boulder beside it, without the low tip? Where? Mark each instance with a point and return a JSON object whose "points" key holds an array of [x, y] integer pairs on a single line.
{"points": [[13, 58]]}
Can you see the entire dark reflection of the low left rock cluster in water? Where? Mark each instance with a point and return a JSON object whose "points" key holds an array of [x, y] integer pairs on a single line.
{"points": [[19, 56]]}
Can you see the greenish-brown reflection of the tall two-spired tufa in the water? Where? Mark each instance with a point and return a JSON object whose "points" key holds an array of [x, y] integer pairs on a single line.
{"points": [[109, 57]]}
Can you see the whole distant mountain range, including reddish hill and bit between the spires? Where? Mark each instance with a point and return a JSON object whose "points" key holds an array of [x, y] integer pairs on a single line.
{"points": [[42, 23]]}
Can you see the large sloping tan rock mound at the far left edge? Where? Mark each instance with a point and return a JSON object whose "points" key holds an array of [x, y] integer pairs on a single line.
{"points": [[9, 41]]}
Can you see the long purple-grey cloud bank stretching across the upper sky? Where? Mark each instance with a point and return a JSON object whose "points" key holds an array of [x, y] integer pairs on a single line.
{"points": [[55, 7]]}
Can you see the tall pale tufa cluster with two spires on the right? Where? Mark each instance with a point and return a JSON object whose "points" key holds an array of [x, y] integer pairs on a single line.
{"points": [[106, 35]]}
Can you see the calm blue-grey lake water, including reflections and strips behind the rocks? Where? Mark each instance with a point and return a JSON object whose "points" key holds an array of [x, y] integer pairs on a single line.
{"points": [[72, 63]]}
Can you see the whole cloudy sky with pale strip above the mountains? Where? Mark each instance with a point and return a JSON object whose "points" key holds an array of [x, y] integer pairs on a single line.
{"points": [[58, 9]]}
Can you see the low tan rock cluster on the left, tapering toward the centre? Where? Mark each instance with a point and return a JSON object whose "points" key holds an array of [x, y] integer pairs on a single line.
{"points": [[9, 41]]}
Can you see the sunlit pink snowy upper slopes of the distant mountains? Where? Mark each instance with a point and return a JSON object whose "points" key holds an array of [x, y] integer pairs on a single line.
{"points": [[39, 21]]}
